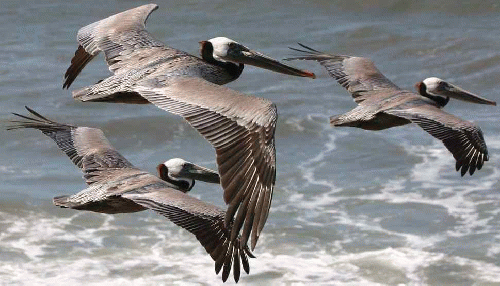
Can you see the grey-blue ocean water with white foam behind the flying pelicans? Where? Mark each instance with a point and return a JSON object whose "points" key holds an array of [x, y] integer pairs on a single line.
{"points": [[351, 207]]}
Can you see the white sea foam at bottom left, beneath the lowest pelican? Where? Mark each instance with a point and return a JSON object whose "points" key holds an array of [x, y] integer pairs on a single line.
{"points": [[89, 259]]}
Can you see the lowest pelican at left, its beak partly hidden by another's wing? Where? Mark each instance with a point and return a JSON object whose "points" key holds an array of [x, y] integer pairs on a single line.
{"points": [[116, 186]]}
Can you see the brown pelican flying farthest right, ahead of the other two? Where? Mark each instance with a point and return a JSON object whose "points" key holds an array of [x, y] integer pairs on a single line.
{"points": [[382, 104]]}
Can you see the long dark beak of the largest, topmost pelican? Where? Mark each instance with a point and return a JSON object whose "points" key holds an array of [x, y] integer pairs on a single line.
{"points": [[249, 57]]}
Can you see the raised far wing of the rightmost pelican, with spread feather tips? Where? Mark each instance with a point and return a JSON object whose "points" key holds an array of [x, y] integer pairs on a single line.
{"points": [[358, 75]]}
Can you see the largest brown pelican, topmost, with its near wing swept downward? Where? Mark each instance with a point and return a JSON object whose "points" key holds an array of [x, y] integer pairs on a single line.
{"points": [[240, 127]]}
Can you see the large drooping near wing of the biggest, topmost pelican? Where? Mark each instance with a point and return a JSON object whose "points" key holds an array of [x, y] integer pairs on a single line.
{"points": [[241, 129]]}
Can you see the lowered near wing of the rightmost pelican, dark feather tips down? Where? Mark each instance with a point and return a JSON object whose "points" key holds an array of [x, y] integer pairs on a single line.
{"points": [[462, 138]]}
